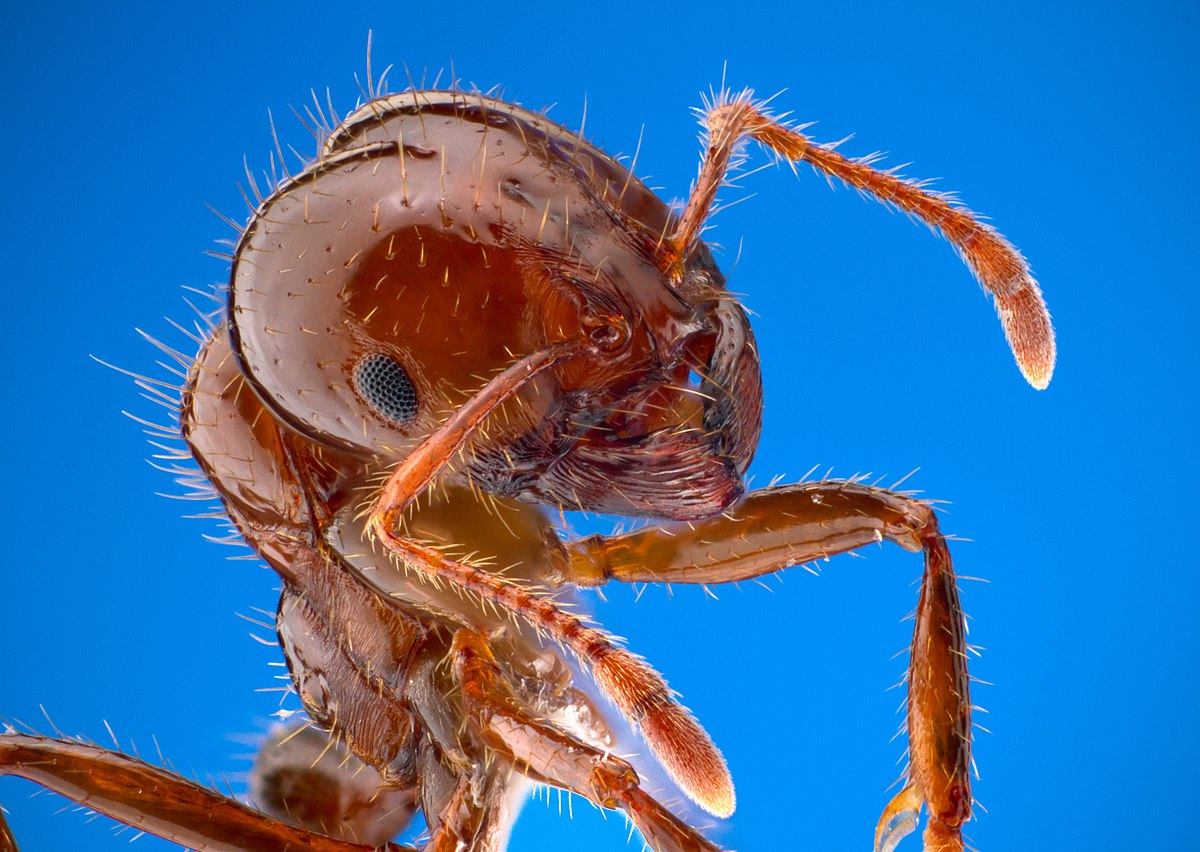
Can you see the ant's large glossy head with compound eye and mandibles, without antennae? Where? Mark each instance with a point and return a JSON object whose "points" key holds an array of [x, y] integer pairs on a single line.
{"points": [[385, 286]]}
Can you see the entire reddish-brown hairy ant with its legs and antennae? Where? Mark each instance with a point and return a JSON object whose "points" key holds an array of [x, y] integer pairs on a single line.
{"points": [[459, 317]]}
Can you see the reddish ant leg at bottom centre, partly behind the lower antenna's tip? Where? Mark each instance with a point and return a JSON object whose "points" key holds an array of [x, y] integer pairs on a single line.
{"points": [[545, 753]]}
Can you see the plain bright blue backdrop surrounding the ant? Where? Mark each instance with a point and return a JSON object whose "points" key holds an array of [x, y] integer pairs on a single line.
{"points": [[1073, 127]]}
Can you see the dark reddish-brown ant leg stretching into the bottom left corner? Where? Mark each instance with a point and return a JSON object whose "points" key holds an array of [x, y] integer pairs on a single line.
{"points": [[155, 801]]}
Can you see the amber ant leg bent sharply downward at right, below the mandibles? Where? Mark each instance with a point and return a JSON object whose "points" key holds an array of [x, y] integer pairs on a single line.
{"points": [[791, 525]]}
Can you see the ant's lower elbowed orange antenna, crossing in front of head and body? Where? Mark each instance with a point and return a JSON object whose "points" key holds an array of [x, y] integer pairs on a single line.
{"points": [[643, 694]]}
